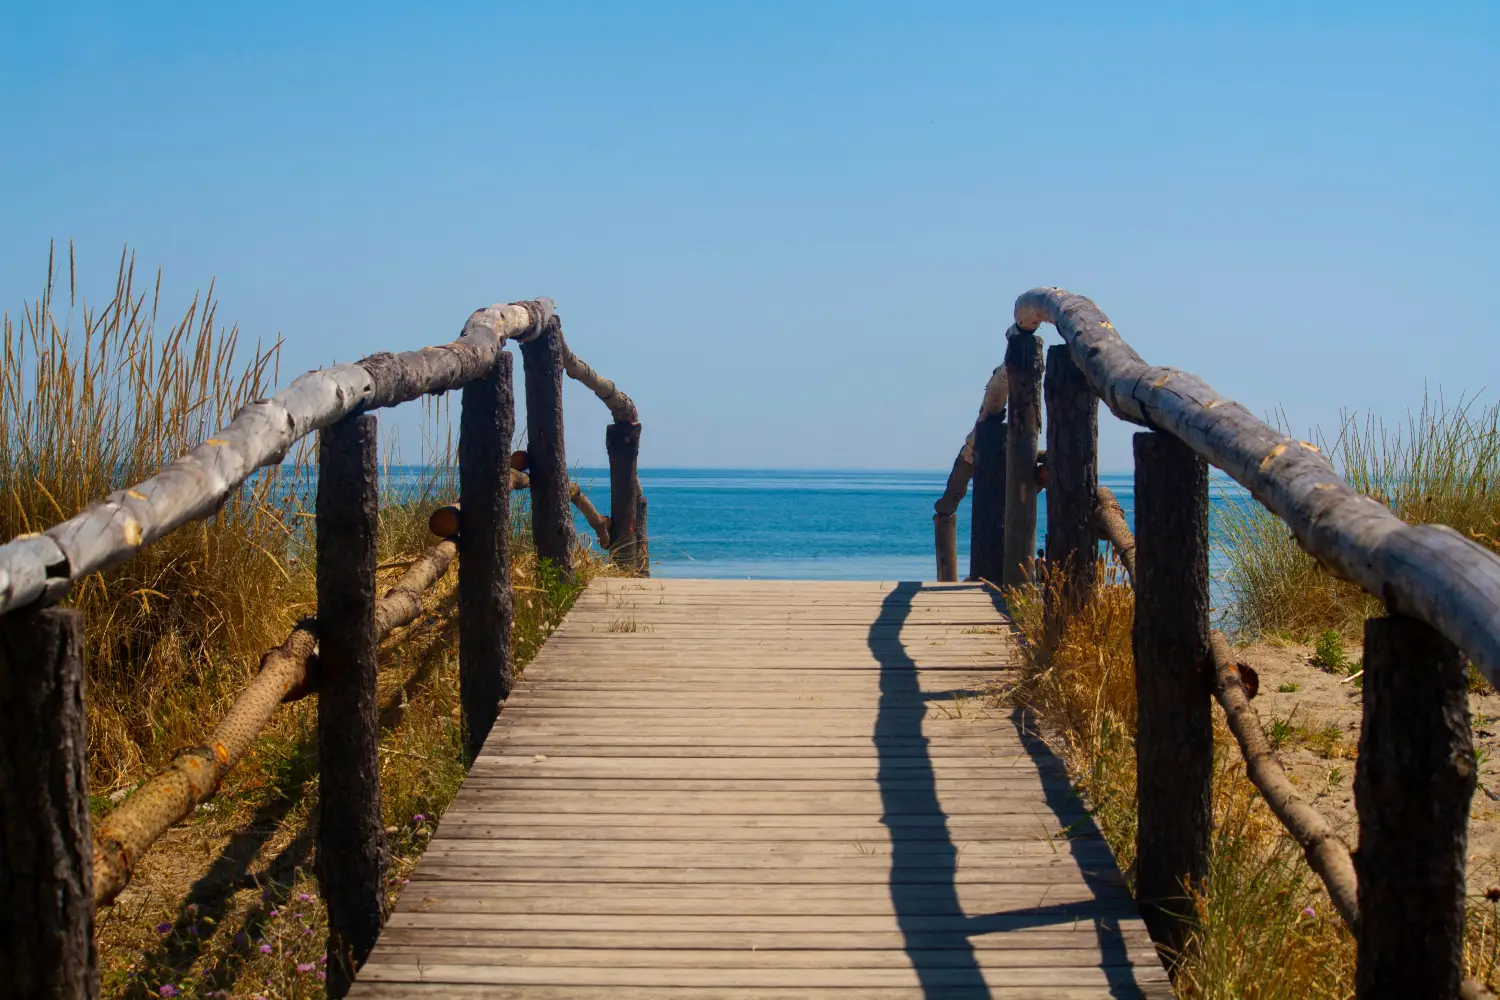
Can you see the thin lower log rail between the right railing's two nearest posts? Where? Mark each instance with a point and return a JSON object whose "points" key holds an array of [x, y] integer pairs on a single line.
{"points": [[1327, 854]]}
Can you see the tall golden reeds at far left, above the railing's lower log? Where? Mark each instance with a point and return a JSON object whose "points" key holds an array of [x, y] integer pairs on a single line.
{"points": [[94, 401]]}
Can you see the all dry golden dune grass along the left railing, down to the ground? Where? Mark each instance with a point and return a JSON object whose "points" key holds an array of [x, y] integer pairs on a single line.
{"points": [[97, 400]]}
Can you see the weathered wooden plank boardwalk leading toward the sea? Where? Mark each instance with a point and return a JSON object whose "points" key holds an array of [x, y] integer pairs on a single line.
{"points": [[766, 791]]}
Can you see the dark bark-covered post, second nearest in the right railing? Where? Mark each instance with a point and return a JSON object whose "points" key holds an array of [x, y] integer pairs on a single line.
{"points": [[1174, 683]]}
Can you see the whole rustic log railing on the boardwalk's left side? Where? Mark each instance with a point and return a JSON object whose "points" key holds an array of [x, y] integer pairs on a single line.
{"points": [[55, 870]]}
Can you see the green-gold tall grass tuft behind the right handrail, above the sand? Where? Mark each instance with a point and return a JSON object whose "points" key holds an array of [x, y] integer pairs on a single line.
{"points": [[1442, 467]]}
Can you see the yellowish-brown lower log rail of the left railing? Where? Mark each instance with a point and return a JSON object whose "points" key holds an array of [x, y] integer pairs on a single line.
{"points": [[194, 776]]}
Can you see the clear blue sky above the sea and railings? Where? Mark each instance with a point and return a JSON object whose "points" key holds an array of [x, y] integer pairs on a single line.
{"points": [[793, 232]]}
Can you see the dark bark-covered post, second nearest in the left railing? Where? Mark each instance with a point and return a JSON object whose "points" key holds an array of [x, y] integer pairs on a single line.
{"points": [[352, 843]]}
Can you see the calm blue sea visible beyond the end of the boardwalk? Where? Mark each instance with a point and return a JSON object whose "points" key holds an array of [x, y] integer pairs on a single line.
{"points": [[833, 525]]}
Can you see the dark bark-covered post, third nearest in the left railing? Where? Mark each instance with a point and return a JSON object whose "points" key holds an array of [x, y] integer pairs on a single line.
{"points": [[487, 608]]}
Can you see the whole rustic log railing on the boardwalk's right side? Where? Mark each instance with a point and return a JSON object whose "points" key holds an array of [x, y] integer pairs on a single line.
{"points": [[1403, 890]]}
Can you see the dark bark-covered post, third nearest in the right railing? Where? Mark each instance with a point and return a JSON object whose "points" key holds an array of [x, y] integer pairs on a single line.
{"points": [[1073, 481]]}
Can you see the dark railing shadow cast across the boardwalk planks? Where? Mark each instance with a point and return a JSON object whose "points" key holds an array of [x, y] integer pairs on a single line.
{"points": [[925, 861]]}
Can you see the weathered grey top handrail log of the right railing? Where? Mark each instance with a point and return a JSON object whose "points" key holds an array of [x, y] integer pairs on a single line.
{"points": [[1426, 572]]}
